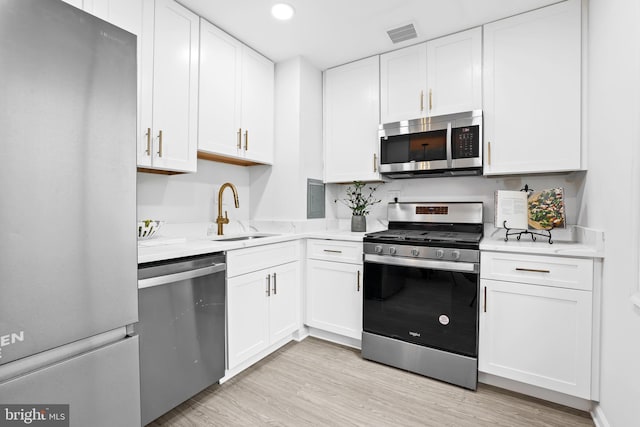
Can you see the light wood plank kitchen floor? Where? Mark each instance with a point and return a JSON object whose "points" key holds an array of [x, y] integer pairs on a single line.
{"points": [[316, 383]]}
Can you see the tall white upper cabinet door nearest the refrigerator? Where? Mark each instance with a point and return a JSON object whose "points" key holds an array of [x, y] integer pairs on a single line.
{"points": [[175, 87]]}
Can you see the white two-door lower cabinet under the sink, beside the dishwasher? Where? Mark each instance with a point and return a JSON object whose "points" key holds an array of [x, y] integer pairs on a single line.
{"points": [[262, 305]]}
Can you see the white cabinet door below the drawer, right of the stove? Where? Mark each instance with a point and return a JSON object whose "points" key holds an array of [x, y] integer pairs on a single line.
{"points": [[538, 335]]}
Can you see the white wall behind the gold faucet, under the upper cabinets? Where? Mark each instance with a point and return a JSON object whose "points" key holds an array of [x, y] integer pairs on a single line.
{"points": [[193, 197]]}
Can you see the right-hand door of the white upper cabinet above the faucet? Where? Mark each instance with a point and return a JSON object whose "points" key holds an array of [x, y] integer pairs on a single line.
{"points": [[257, 106]]}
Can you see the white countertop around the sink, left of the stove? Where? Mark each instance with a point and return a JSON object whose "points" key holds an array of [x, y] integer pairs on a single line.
{"points": [[177, 248]]}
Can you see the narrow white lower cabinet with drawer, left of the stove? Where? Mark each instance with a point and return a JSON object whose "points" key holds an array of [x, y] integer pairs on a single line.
{"points": [[334, 287]]}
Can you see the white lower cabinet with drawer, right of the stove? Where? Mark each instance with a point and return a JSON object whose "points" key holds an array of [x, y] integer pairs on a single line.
{"points": [[533, 331]]}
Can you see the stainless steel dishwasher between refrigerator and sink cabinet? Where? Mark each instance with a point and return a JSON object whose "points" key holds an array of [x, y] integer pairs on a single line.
{"points": [[181, 305]]}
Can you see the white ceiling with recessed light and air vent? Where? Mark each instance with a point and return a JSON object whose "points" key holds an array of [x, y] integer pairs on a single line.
{"points": [[332, 32]]}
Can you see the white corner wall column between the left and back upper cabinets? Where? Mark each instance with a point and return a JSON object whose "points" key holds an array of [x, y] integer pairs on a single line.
{"points": [[279, 191]]}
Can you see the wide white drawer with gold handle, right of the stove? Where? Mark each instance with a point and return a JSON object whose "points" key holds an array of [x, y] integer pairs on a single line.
{"points": [[571, 273]]}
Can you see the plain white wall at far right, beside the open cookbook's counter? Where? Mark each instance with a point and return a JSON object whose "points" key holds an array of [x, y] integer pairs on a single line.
{"points": [[611, 187]]}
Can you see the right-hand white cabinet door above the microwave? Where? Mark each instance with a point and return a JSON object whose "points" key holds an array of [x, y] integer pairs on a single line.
{"points": [[454, 73]]}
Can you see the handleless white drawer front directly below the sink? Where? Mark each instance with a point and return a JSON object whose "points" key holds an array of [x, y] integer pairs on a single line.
{"points": [[243, 261]]}
